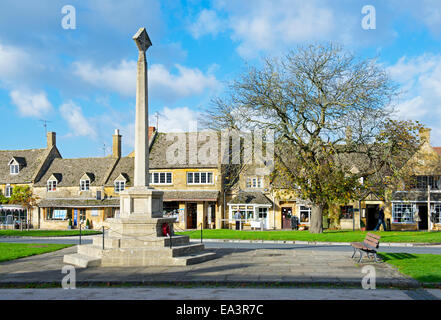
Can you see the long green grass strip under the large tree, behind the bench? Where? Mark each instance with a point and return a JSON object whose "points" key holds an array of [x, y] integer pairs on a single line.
{"points": [[327, 235]]}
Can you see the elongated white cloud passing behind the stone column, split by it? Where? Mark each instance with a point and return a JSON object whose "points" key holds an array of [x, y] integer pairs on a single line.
{"points": [[162, 83]]}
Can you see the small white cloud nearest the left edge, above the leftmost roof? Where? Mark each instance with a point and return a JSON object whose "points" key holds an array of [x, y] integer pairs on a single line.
{"points": [[31, 104]]}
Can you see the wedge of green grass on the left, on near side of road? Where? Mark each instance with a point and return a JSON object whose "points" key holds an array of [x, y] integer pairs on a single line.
{"points": [[11, 251]]}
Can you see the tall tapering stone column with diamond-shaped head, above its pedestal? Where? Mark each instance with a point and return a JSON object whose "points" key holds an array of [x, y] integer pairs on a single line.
{"points": [[143, 42]]}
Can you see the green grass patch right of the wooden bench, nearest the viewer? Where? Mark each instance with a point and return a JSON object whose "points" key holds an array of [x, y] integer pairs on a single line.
{"points": [[425, 268]]}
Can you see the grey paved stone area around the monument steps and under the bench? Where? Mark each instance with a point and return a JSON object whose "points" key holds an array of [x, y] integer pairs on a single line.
{"points": [[287, 266]]}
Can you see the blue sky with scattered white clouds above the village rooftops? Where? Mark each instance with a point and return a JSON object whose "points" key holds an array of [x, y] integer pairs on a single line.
{"points": [[82, 80]]}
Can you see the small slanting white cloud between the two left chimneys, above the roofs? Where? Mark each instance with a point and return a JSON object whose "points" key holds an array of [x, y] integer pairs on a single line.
{"points": [[76, 121]]}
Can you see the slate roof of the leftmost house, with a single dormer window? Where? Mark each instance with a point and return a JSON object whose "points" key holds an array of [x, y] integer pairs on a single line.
{"points": [[30, 162]]}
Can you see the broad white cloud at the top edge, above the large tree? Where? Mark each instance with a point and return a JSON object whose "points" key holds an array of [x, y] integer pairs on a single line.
{"points": [[269, 26]]}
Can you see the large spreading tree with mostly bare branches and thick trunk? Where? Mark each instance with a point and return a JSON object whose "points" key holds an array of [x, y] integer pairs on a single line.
{"points": [[331, 114]]}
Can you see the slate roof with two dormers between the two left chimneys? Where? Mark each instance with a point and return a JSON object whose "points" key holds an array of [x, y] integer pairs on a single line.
{"points": [[70, 171]]}
